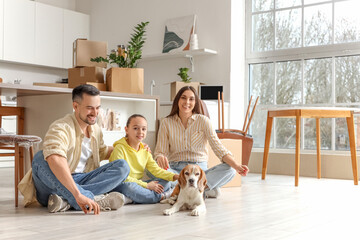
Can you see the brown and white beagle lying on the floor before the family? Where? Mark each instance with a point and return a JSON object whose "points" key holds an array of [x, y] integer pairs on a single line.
{"points": [[188, 193]]}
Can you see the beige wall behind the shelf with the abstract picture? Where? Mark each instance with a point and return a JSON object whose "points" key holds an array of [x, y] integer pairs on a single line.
{"points": [[113, 20]]}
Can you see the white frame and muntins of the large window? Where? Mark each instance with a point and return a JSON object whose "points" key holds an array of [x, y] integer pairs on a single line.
{"points": [[302, 54]]}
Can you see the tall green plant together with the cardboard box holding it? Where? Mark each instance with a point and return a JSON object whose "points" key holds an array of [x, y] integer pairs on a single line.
{"points": [[126, 77]]}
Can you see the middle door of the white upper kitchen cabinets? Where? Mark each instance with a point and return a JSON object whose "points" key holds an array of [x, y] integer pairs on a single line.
{"points": [[48, 35]]}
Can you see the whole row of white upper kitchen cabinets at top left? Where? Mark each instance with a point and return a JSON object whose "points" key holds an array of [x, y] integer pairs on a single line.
{"points": [[39, 34]]}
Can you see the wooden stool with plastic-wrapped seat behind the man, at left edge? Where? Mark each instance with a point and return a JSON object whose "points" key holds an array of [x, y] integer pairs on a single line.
{"points": [[16, 142]]}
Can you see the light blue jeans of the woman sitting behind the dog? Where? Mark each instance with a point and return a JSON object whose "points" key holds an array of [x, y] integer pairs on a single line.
{"points": [[216, 176]]}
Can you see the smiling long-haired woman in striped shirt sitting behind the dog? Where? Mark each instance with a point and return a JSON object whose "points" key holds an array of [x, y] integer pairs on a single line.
{"points": [[182, 140]]}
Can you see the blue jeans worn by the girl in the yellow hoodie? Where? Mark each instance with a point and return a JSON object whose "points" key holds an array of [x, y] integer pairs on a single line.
{"points": [[140, 194]]}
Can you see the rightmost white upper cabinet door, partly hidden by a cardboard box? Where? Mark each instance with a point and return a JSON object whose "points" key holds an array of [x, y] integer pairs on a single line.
{"points": [[76, 25]]}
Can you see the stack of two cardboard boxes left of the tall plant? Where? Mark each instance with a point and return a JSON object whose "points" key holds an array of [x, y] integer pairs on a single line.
{"points": [[85, 71]]}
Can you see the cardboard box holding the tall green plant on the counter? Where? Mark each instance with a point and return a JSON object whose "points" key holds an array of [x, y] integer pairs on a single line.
{"points": [[125, 80]]}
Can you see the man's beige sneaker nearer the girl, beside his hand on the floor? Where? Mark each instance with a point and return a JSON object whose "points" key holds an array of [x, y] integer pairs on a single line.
{"points": [[111, 201]]}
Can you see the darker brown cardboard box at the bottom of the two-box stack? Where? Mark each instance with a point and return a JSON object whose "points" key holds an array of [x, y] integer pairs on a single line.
{"points": [[83, 75]]}
